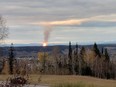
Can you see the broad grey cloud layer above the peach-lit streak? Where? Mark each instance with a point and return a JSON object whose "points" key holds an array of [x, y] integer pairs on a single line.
{"points": [[26, 11]]}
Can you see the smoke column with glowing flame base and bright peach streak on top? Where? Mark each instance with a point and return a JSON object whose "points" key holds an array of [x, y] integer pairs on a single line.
{"points": [[48, 27]]}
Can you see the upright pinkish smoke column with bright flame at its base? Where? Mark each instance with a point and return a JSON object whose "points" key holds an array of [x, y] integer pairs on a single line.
{"points": [[47, 32]]}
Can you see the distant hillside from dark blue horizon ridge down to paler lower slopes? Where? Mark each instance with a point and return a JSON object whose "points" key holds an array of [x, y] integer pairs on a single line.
{"points": [[33, 50]]}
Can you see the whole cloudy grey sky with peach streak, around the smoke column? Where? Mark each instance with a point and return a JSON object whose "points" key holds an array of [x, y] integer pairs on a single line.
{"points": [[81, 21]]}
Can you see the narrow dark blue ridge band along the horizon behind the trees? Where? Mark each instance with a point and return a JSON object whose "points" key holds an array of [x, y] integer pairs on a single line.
{"points": [[29, 48]]}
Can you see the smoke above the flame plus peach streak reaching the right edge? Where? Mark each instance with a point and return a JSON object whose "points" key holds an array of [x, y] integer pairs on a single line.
{"points": [[48, 25]]}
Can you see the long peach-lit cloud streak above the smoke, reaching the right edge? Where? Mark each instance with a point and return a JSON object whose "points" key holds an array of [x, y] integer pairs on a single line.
{"points": [[101, 18]]}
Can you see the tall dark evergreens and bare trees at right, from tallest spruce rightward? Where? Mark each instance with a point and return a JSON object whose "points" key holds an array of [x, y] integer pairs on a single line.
{"points": [[97, 63]]}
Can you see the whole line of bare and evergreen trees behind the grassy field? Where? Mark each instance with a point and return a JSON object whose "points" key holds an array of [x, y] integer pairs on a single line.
{"points": [[76, 61]]}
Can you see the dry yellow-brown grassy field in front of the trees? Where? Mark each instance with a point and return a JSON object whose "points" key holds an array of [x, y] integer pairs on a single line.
{"points": [[85, 81]]}
